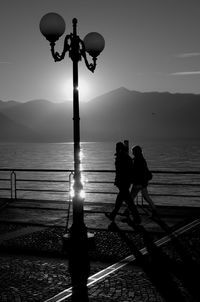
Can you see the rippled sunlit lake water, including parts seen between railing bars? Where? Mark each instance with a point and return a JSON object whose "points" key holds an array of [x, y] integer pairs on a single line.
{"points": [[179, 156]]}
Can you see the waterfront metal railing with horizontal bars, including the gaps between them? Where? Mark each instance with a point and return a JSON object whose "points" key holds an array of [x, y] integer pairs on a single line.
{"points": [[24, 183]]}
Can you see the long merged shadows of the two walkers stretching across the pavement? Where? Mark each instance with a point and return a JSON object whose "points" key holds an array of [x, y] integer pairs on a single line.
{"points": [[164, 273]]}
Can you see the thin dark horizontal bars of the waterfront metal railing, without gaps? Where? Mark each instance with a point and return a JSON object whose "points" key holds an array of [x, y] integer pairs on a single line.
{"points": [[16, 179]]}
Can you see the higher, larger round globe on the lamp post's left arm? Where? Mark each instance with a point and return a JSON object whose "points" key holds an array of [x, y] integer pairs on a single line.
{"points": [[52, 26]]}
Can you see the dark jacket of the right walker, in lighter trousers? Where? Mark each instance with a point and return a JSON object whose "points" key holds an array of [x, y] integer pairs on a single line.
{"points": [[141, 174]]}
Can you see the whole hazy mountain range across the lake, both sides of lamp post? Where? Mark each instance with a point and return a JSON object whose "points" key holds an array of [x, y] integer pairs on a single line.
{"points": [[117, 115]]}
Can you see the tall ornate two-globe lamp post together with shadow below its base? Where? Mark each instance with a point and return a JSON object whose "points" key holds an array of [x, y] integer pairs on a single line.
{"points": [[52, 26]]}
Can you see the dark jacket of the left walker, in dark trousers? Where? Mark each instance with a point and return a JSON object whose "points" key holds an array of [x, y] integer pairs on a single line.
{"points": [[124, 169]]}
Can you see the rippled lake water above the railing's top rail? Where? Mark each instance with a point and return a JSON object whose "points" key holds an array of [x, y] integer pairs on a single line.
{"points": [[99, 155]]}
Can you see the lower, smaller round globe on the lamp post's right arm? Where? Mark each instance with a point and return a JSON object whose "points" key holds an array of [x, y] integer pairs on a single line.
{"points": [[94, 44]]}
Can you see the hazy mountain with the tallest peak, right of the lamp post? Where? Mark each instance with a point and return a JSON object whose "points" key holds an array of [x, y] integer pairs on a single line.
{"points": [[123, 113]]}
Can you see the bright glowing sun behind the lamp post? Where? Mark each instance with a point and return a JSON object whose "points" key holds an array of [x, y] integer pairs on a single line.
{"points": [[66, 89]]}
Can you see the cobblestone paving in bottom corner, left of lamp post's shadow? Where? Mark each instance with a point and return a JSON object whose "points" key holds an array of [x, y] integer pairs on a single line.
{"points": [[30, 278]]}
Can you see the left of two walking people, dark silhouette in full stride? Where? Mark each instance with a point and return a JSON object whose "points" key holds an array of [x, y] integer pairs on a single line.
{"points": [[123, 180]]}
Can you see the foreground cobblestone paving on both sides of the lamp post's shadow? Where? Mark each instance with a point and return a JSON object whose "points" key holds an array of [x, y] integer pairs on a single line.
{"points": [[37, 279]]}
